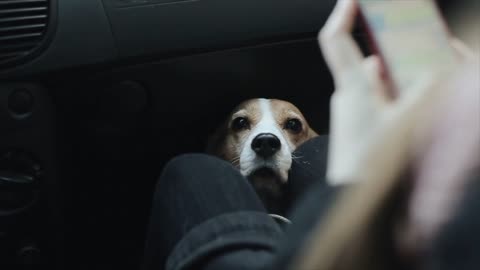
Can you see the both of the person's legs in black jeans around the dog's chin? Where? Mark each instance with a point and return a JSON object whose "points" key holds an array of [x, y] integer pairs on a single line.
{"points": [[206, 215]]}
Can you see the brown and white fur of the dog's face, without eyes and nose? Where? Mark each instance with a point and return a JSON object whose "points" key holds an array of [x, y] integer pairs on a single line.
{"points": [[262, 116]]}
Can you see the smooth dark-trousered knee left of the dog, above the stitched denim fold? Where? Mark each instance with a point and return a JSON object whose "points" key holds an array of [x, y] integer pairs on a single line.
{"points": [[192, 189]]}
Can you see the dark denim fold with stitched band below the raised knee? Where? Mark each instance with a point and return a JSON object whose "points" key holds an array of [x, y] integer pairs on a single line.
{"points": [[235, 232]]}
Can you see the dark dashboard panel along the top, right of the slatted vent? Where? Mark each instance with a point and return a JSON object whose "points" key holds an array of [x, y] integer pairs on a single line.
{"points": [[90, 32]]}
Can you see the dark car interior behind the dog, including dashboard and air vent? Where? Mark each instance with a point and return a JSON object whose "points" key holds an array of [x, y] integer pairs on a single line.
{"points": [[97, 95]]}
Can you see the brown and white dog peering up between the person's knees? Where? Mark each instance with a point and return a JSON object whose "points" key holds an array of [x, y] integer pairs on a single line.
{"points": [[259, 138]]}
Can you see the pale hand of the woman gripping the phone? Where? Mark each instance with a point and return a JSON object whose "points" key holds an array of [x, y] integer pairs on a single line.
{"points": [[369, 132]]}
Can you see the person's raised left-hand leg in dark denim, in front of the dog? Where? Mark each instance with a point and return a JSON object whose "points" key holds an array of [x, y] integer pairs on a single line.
{"points": [[202, 208]]}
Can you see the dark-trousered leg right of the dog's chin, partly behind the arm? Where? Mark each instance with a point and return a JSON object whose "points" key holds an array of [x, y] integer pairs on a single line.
{"points": [[310, 197]]}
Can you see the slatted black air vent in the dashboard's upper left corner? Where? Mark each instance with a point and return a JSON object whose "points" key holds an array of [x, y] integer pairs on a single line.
{"points": [[23, 25]]}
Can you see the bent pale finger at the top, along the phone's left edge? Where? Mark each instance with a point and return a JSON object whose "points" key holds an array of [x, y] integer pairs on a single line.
{"points": [[338, 47]]}
